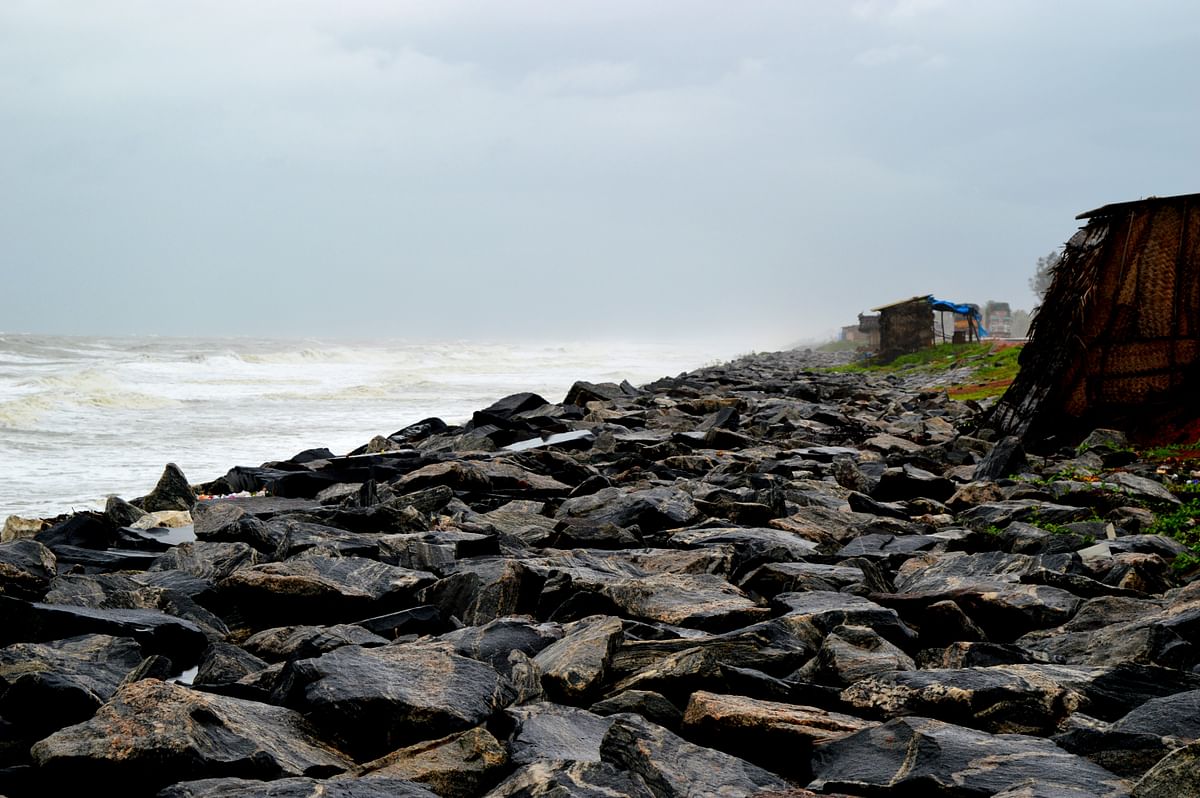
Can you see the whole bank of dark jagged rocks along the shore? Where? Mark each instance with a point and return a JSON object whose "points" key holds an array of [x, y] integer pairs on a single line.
{"points": [[759, 579]]}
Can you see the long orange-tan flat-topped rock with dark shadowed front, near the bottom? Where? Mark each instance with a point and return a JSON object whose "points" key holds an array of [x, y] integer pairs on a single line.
{"points": [[776, 736]]}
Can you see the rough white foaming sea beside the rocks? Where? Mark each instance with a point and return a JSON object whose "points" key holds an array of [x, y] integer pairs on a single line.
{"points": [[86, 418]]}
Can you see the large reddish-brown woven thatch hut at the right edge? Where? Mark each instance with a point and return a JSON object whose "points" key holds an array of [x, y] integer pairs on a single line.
{"points": [[1117, 343]]}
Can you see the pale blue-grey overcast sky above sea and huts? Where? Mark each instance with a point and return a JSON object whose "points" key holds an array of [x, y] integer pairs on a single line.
{"points": [[765, 170]]}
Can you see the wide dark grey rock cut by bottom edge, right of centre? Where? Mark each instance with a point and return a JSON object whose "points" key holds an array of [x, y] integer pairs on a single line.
{"points": [[919, 755]]}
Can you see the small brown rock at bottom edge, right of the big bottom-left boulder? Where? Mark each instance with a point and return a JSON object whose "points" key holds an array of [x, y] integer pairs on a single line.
{"points": [[458, 766]]}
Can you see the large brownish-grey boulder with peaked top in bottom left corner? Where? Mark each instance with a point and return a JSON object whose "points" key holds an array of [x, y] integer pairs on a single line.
{"points": [[153, 734]]}
